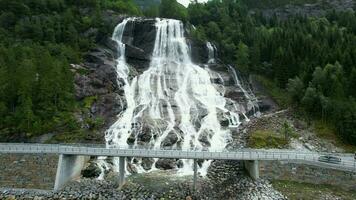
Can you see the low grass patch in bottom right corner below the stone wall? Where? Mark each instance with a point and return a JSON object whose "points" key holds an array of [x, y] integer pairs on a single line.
{"points": [[307, 191]]}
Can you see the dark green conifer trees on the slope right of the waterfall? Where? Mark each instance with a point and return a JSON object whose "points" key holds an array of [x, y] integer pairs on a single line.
{"points": [[313, 59]]}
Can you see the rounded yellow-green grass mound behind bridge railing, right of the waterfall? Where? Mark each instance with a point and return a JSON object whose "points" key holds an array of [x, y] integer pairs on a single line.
{"points": [[267, 139]]}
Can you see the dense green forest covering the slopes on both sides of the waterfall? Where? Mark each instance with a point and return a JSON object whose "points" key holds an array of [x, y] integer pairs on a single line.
{"points": [[312, 59]]}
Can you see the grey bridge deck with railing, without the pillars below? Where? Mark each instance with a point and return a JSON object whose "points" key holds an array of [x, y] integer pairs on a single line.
{"points": [[311, 158]]}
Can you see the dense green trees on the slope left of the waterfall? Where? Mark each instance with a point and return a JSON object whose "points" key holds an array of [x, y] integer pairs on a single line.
{"points": [[39, 39]]}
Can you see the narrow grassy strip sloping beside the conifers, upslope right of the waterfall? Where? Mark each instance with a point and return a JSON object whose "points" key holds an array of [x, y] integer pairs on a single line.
{"points": [[278, 94]]}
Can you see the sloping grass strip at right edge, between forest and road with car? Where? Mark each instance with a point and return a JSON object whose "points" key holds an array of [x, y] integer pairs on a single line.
{"points": [[326, 131]]}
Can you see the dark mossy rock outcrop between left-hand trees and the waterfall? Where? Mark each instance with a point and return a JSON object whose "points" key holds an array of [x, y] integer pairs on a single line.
{"points": [[96, 85]]}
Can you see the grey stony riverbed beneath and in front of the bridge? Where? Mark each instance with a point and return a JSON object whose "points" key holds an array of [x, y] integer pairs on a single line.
{"points": [[225, 180]]}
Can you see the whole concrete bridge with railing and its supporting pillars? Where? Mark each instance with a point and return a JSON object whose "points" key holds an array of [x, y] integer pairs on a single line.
{"points": [[72, 158]]}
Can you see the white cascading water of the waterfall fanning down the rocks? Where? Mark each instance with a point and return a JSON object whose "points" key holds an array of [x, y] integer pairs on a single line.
{"points": [[173, 100]]}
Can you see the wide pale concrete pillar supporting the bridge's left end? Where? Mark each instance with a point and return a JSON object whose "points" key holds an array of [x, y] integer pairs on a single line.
{"points": [[69, 167]]}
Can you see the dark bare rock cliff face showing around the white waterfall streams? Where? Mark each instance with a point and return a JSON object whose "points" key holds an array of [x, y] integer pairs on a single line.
{"points": [[96, 81]]}
